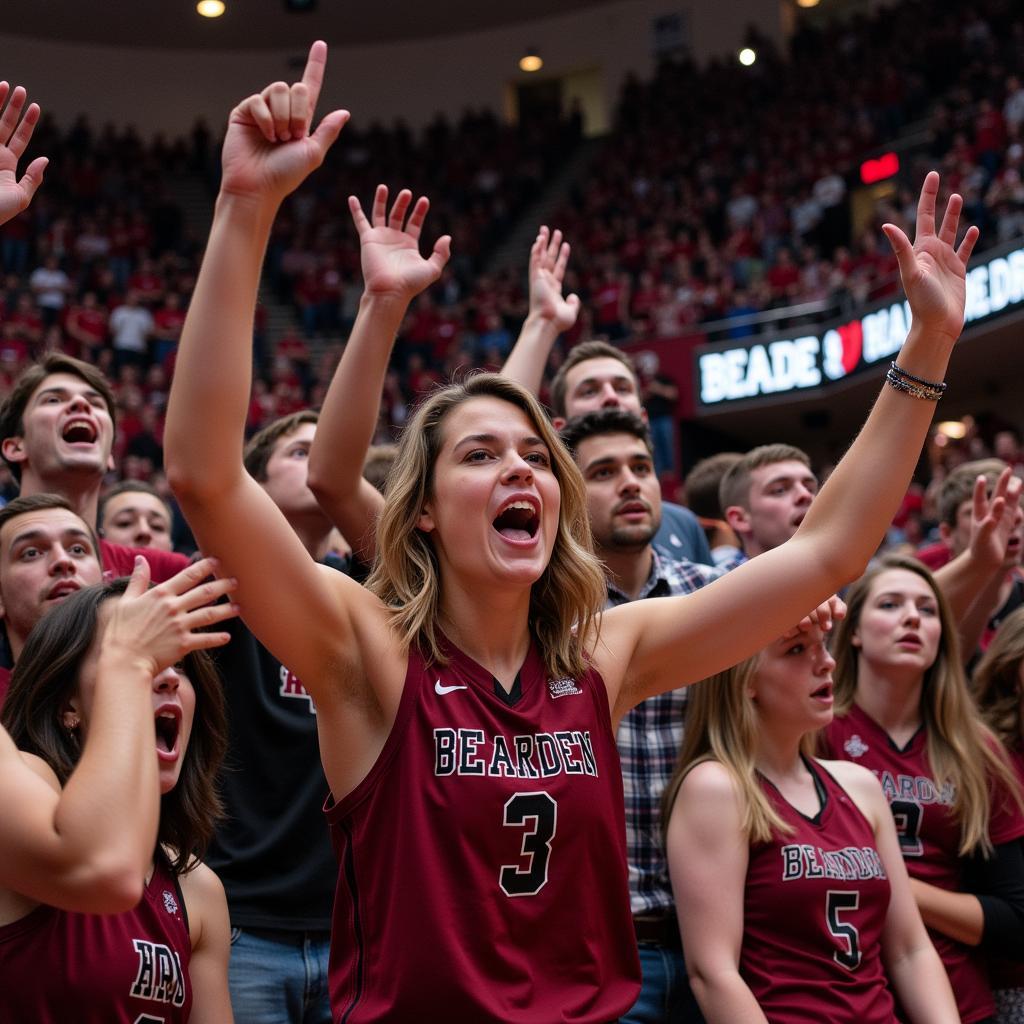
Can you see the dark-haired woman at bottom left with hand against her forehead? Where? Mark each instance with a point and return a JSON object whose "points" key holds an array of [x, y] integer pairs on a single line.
{"points": [[84, 671]]}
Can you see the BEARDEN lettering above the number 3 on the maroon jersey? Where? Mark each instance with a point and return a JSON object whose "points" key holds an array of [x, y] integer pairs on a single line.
{"points": [[539, 755]]}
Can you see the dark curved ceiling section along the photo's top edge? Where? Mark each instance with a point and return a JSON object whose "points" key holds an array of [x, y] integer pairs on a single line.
{"points": [[265, 24]]}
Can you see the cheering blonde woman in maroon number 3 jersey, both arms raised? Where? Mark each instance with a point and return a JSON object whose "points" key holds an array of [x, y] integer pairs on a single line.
{"points": [[467, 698]]}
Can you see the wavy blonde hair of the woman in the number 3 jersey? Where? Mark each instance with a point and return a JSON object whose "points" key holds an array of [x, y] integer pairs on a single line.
{"points": [[566, 602]]}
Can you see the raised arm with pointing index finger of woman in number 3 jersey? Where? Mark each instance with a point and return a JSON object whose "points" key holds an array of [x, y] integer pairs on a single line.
{"points": [[297, 609]]}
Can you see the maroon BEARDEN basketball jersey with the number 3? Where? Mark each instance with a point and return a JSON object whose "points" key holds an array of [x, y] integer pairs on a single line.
{"points": [[483, 861]]}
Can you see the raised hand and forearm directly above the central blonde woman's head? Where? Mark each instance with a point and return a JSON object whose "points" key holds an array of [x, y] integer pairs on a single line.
{"points": [[549, 314]]}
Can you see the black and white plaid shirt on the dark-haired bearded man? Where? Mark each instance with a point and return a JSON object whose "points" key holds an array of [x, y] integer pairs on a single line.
{"points": [[650, 738]]}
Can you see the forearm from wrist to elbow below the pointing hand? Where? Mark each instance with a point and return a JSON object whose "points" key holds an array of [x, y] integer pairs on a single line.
{"points": [[209, 400]]}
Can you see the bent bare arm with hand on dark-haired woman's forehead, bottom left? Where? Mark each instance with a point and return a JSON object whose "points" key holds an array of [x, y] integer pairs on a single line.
{"points": [[90, 847]]}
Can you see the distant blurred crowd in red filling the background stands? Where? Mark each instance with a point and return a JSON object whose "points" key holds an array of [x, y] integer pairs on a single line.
{"points": [[722, 193]]}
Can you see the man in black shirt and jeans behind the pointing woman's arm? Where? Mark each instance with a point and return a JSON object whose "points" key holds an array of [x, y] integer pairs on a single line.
{"points": [[272, 850]]}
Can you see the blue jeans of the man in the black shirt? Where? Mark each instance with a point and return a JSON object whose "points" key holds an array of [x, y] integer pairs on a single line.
{"points": [[279, 977]]}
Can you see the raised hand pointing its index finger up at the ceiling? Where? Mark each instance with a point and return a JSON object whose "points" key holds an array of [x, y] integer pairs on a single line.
{"points": [[269, 150]]}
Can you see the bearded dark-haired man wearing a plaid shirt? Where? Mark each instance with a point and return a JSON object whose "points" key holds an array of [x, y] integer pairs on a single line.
{"points": [[613, 449]]}
